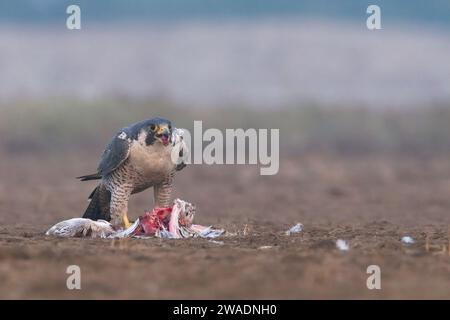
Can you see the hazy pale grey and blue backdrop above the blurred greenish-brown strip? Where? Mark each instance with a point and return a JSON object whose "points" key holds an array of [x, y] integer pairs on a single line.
{"points": [[263, 54]]}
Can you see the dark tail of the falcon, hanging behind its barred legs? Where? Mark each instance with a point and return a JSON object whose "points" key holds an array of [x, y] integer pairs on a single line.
{"points": [[99, 204]]}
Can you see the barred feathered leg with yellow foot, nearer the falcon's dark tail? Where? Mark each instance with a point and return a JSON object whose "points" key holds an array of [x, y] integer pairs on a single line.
{"points": [[119, 206]]}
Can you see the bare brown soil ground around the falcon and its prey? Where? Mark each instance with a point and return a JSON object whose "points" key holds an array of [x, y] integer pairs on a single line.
{"points": [[370, 201]]}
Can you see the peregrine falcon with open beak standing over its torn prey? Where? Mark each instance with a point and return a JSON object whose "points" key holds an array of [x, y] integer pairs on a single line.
{"points": [[137, 158]]}
